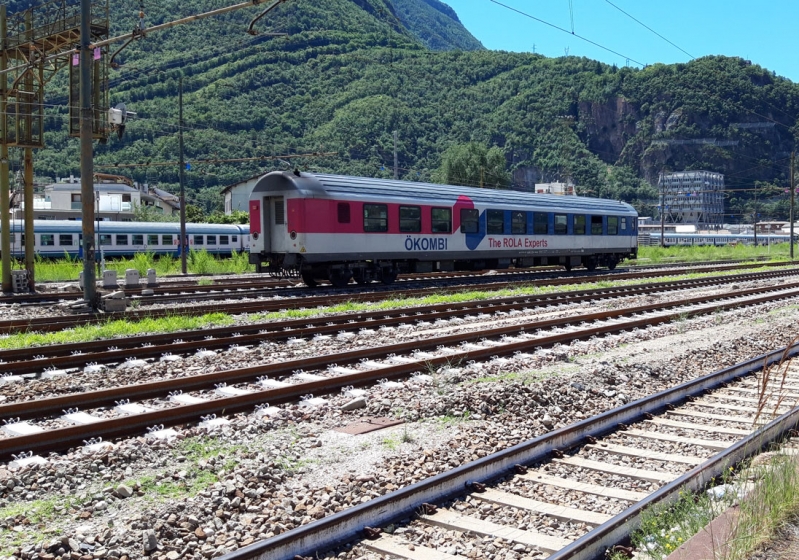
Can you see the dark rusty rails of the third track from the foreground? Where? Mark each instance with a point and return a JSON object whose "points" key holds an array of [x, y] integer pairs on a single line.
{"points": [[60, 356]]}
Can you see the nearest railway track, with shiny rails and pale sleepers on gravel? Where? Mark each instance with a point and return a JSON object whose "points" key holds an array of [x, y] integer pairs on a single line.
{"points": [[635, 456]]}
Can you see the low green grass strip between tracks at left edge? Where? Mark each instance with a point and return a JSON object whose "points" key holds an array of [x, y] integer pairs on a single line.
{"points": [[115, 329]]}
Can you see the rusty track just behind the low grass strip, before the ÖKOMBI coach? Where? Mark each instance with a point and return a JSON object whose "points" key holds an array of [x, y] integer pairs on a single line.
{"points": [[50, 324]]}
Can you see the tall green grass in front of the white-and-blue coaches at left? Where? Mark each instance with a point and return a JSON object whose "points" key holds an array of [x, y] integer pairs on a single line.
{"points": [[197, 262]]}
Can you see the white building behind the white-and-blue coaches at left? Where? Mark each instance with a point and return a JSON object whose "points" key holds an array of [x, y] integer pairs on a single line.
{"points": [[114, 199]]}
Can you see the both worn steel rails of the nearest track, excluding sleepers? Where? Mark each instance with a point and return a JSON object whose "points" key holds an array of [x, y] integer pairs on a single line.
{"points": [[326, 533]]}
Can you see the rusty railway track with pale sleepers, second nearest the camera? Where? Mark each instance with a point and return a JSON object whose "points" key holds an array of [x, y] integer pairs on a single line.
{"points": [[360, 368]]}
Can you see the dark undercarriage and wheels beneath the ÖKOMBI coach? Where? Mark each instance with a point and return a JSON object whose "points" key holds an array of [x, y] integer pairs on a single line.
{"points": [[340, 274]]}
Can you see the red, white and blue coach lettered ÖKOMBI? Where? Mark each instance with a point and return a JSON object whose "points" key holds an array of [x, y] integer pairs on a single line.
{"points": [[328, 227]]}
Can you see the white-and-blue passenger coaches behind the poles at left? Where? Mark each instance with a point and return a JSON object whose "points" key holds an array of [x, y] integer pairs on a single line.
{"points": [[57, 238]]}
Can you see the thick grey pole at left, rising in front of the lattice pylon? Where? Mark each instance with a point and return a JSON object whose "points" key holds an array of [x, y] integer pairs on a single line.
{"points": [[87, 156]]}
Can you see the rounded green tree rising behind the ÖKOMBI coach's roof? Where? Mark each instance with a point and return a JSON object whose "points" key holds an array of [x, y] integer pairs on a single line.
{"points": [[473, 165]]}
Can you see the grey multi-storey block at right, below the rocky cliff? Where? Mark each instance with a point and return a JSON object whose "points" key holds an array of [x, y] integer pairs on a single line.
{"points": [[692, 197]]}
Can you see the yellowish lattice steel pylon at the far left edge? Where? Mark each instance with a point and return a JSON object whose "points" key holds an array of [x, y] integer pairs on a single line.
{"points": [[36, 44]]}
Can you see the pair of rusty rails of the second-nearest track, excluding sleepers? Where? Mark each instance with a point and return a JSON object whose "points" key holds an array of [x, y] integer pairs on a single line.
{"points": [[62, 438]]}
